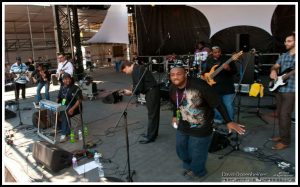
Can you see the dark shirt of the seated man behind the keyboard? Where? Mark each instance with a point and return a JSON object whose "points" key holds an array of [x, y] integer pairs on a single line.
{"points": [[68, 93]]}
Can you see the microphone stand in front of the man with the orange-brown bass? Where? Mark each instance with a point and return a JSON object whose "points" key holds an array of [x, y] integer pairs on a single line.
{"points": [[238, 93]]}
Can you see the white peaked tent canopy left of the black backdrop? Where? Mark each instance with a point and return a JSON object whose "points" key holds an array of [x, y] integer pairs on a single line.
{"points": [[114, 28]]}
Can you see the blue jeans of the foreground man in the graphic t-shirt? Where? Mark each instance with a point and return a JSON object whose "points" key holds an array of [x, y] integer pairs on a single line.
{"points": [[193, 151]]}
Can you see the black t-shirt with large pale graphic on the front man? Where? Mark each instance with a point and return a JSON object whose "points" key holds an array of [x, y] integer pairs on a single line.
{"points": [[196, 104]]}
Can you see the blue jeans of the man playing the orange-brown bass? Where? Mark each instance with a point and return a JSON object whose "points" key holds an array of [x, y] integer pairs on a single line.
{"points": [[229, 105]]}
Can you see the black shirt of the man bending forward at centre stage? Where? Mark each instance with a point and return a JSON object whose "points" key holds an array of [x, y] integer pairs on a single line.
{"points": [[147, 82]]}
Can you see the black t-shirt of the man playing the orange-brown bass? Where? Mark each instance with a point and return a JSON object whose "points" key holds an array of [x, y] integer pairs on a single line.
{"points": [[224, 80]]}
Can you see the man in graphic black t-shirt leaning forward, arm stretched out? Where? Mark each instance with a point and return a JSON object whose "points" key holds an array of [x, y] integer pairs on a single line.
{"points": [[193, 112]]}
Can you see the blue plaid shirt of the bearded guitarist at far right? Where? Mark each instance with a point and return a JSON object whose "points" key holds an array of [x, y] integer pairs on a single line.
{"points": [[287, 61]]}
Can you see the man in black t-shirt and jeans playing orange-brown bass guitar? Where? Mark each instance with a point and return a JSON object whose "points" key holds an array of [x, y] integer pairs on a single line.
{"points": [[221, 79]]}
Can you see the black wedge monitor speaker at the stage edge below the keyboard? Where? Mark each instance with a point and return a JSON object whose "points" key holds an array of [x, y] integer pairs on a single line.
{"points": [[51, 156]]}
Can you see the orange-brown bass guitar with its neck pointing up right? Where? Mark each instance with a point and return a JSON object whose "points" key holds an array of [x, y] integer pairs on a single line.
{"points": [[209, 77]]}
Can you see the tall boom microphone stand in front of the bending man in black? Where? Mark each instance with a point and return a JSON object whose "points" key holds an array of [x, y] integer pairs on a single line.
{"points": [[124, 113]]}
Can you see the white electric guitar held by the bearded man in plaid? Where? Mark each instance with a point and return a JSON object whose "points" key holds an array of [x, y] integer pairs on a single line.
{"points": [[281, 80]]}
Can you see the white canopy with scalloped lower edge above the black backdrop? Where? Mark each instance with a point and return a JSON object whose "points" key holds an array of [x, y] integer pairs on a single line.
{"points": [[224, 16]]}
